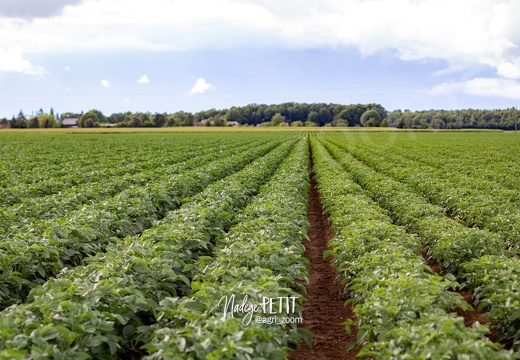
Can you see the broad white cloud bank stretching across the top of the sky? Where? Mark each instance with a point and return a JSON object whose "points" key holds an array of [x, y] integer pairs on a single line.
{"points": [[462, 32]]}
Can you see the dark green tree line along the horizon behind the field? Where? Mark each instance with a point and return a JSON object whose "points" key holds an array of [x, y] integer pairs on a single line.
{"points": [[287, 114]]}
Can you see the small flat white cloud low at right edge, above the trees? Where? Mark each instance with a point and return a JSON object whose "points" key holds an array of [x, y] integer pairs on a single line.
{"points": [[493, 87]]}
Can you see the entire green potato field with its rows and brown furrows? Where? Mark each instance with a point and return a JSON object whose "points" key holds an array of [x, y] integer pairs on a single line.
{"points": [[197, 245]]}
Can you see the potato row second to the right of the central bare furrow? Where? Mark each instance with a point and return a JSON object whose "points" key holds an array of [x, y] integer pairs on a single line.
{"points": [[457, 249]]}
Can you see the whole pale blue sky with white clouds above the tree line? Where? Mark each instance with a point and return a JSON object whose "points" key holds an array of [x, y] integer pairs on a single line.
{"points": [[170, 55]]}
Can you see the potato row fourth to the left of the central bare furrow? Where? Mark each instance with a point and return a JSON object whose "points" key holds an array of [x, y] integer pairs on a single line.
{"points": [[40, 209]]}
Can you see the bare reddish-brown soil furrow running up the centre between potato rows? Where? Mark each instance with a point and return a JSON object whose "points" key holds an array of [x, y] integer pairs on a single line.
{"points": [[323, 312]]}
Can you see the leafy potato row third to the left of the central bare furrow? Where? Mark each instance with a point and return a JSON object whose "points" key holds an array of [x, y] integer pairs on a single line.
{"points": [[28, 259]]}
